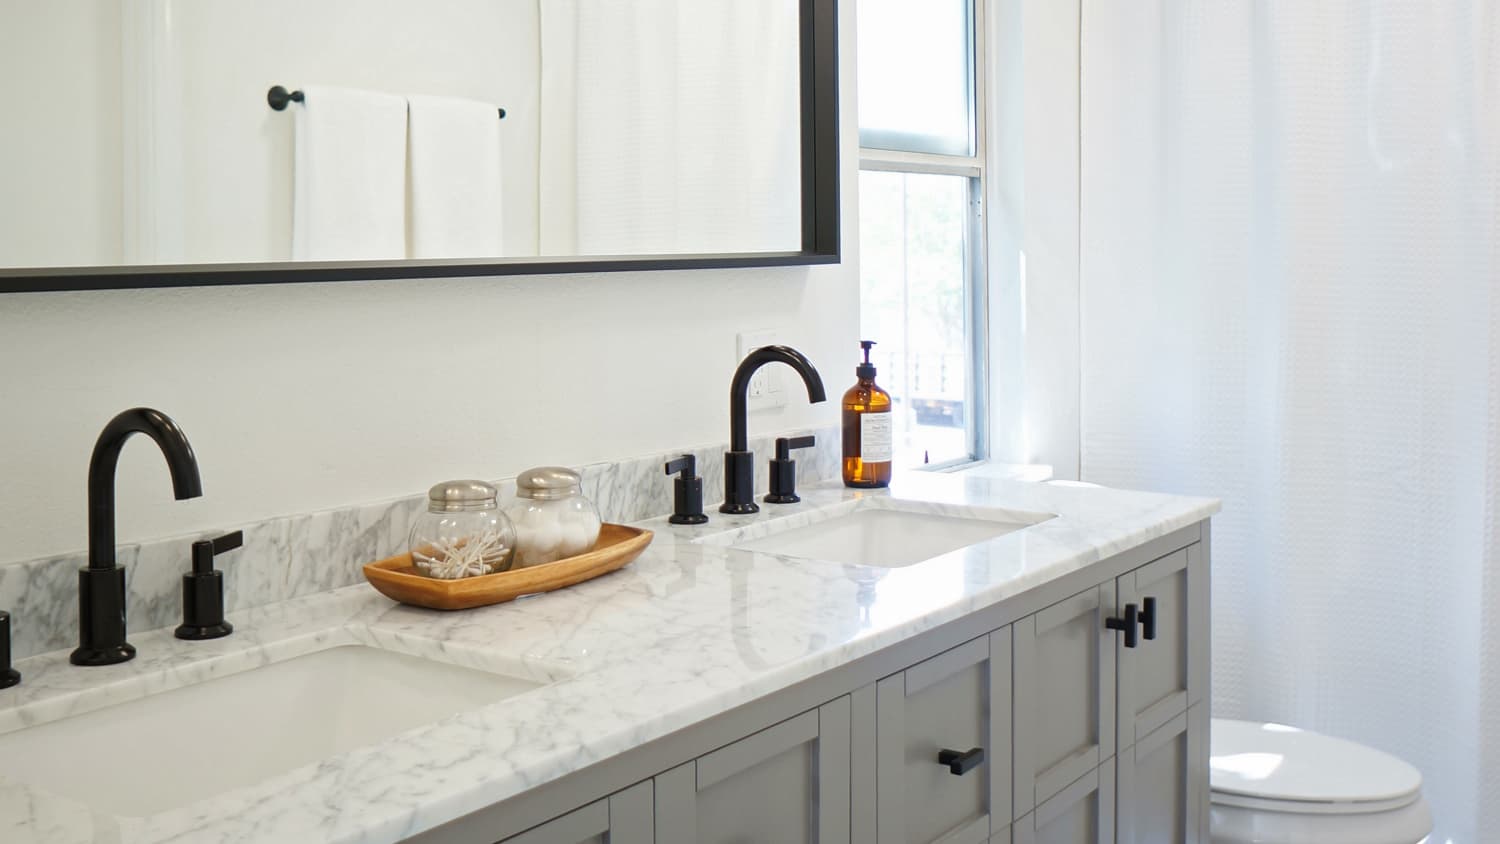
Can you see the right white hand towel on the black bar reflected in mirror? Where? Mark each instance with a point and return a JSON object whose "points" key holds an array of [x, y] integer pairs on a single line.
{"points": [[455, 179]]}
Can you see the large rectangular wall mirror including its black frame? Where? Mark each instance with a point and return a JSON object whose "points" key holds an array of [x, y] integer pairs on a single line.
{"points": [[169, 143]]}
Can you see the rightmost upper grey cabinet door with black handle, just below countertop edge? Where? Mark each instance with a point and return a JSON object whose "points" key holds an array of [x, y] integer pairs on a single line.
{"points": [[1162, 677]]}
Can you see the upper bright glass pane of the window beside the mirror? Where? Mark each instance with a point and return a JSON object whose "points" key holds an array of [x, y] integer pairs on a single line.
{"points": [[917, 76]]}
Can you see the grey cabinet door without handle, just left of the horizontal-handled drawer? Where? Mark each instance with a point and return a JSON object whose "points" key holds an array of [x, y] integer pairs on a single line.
{"points": [[788, 783]]}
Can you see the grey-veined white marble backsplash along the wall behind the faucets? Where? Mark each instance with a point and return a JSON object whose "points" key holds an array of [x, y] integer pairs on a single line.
{"points": [[301, 555]]}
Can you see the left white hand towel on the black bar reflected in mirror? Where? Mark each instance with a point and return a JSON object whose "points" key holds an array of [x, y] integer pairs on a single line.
{"points": [[352, 176]]}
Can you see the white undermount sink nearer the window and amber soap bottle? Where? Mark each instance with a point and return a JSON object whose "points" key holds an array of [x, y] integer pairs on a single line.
{"points": [[878, 533]]}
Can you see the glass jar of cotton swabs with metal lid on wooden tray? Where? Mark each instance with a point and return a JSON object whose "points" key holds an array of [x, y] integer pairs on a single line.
{"points": [[463, 534]]}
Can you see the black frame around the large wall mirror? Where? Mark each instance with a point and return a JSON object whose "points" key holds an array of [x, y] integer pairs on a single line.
{"points": [[821, 217]]}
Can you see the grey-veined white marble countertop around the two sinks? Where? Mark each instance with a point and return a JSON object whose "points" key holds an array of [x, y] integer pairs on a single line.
{"points": [[683, 635]]}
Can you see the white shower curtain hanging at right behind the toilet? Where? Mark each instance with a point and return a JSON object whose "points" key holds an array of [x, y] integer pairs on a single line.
{"points": [[1291, 247]]}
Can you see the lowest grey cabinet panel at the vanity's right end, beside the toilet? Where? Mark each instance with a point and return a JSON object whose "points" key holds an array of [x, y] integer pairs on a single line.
{"points": [[1162, 783]]}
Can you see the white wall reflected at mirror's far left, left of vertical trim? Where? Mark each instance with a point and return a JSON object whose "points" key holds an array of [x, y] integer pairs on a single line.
{"points": [[61, 190]]}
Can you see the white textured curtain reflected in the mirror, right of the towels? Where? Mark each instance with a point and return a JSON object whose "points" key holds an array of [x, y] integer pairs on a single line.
{"points": [[671, 127]]}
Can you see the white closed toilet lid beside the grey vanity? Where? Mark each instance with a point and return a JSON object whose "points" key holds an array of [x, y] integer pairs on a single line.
{"points": [[1273, 762]]}
